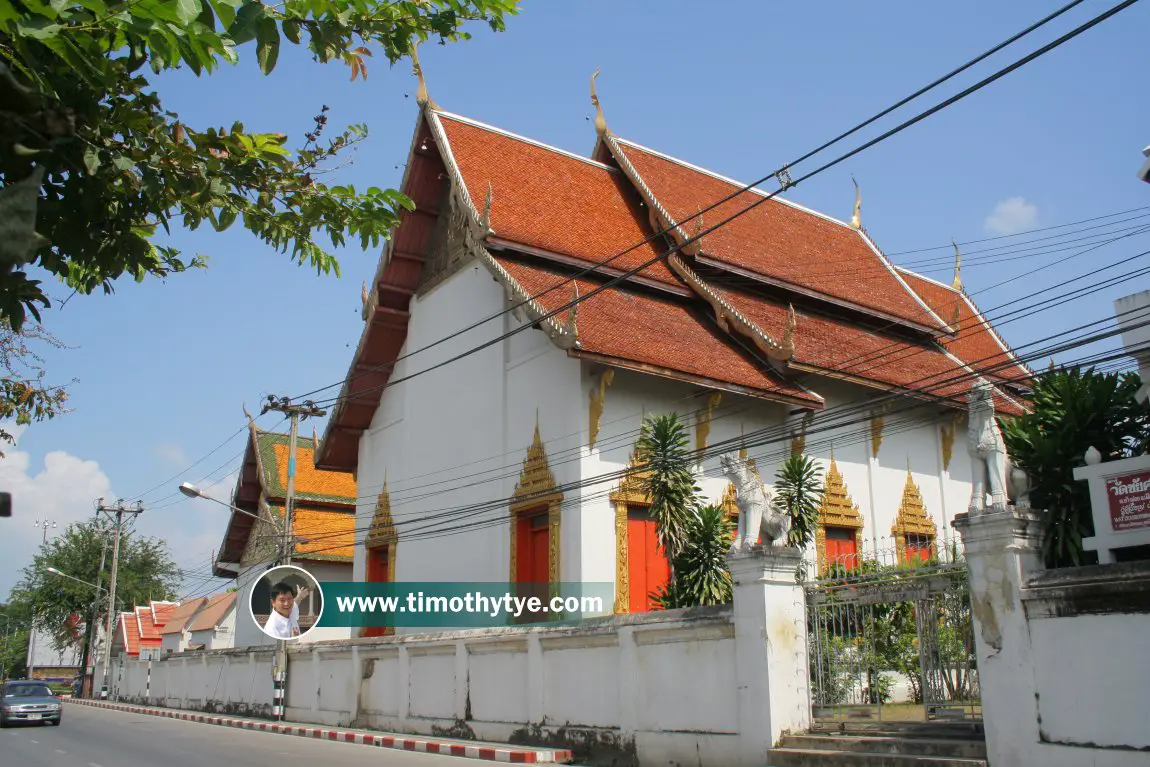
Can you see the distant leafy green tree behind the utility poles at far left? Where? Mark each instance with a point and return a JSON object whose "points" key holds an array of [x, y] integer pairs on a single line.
{"points": [[48, 602]]}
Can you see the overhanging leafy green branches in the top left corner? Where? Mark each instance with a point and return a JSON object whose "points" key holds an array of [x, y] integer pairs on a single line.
{"points": [[93, 166]]}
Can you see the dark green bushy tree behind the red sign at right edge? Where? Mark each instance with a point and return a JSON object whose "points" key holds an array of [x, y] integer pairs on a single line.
{"points": [[1074, 411]]}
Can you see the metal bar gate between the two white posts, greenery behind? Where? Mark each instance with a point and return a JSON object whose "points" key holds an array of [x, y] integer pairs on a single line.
{"points": [[893, 641]]}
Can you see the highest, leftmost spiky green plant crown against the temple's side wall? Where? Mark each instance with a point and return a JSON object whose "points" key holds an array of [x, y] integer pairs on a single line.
{"points": [[670, 480]]}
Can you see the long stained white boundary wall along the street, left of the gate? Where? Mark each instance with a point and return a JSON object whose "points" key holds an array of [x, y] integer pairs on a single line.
{"points": [[612, 681]]}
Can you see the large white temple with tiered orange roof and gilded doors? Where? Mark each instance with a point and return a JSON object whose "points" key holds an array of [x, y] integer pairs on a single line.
{"points": [[490, 427]]}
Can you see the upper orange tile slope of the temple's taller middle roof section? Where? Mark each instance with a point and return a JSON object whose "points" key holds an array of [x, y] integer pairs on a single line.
{"points": [[777, 241]]}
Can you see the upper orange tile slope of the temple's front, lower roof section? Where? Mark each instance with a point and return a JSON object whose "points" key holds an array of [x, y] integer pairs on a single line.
{"points": [[549, 200]]}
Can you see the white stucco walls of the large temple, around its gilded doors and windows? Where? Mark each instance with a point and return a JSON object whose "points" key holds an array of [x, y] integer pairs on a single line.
{"points": [[451, 443]]}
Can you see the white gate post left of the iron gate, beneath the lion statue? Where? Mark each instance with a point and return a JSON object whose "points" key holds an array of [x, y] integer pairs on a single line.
{"points": [[771, 657]]}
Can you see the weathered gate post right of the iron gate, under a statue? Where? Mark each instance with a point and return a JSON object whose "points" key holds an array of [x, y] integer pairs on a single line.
{"points": [[1002, 550]]}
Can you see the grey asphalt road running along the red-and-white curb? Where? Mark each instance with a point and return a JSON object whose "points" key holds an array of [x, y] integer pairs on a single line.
{"points": [[96, 738]]}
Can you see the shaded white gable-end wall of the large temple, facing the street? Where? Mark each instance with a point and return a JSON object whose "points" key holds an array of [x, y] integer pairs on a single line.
{"points": [[454, 440]]}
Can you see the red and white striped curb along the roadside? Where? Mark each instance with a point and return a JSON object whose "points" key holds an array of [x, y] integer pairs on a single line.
{"points": [[517, 756]]}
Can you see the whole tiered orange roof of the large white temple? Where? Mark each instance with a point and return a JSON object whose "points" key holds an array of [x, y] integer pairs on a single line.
{"points": [[766, 305]]}
